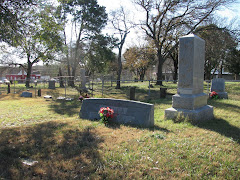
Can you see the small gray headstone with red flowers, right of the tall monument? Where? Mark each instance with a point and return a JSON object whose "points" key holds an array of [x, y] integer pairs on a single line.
{"points": [[218, 85]]}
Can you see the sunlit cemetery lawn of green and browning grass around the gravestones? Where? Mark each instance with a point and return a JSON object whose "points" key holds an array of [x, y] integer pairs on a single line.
{"points": [[63, 146]]}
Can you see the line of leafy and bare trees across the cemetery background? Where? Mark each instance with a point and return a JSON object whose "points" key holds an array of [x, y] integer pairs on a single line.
{"points": [[69, 34]]}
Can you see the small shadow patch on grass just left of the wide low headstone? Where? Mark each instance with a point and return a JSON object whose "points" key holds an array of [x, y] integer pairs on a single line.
{"points": [[69, 108]]}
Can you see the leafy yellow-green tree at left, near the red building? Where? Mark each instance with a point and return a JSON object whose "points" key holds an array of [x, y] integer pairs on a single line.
{"points": [[39, 38]]}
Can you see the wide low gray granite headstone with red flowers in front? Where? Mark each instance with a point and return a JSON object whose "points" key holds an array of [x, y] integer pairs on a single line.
{"points": [[125, 111]]}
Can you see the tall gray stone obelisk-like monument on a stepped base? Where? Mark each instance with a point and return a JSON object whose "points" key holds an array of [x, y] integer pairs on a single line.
{"points": [[190, 99]]}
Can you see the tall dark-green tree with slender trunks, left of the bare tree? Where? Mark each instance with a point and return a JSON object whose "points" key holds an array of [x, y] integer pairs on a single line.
{"points": [[88, 19]]}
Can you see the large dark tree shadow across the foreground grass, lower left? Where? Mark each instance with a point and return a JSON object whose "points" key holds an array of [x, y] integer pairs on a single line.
{"points": [[61, 152]]}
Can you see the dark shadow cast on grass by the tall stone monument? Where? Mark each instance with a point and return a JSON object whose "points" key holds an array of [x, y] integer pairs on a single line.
{"points": [[222, 127]]}
